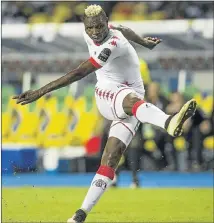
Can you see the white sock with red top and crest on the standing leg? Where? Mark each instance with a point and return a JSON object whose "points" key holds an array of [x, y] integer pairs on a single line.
{"points": [[100, 182]]}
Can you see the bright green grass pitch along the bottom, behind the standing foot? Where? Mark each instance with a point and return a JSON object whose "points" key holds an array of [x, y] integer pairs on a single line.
{"points": [[117, 205]]}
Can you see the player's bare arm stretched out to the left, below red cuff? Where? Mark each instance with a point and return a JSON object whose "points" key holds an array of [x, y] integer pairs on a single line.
{"points": [[80, 72]]}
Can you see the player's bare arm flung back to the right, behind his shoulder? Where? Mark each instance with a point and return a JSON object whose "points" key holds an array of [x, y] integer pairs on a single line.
{"points": [[148, 42]]}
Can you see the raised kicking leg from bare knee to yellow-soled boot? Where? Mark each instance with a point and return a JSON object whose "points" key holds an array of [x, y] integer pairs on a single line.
{"points": [[148, 113]]}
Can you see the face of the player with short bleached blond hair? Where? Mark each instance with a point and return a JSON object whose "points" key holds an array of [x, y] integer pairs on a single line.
{"points": [[96, 28]]}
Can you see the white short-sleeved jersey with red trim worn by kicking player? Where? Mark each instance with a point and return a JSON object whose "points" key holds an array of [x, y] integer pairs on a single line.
{"points": [[117, 60]]}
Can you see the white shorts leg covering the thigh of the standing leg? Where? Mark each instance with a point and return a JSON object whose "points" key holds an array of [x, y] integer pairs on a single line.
{"points": [[124, 130]]}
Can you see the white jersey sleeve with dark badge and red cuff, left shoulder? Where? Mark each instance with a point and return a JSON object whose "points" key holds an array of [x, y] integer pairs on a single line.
{"points": [[107, 52]]}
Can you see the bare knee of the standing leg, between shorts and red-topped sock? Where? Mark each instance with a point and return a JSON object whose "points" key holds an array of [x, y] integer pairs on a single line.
{"points": [[112, 153]]}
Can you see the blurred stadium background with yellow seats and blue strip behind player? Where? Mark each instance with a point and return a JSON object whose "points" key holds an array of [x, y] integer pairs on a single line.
{"points": [[59, 139]]}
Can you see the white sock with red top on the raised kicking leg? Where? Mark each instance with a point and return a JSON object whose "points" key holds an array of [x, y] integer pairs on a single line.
{"points": [[149, 113]]}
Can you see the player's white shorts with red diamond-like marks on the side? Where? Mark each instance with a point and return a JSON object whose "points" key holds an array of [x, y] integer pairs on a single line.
{"points": [[109, 99]]}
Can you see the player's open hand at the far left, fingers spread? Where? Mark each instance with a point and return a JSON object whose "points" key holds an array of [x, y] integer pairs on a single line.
{"points": [[28, 97]]}
